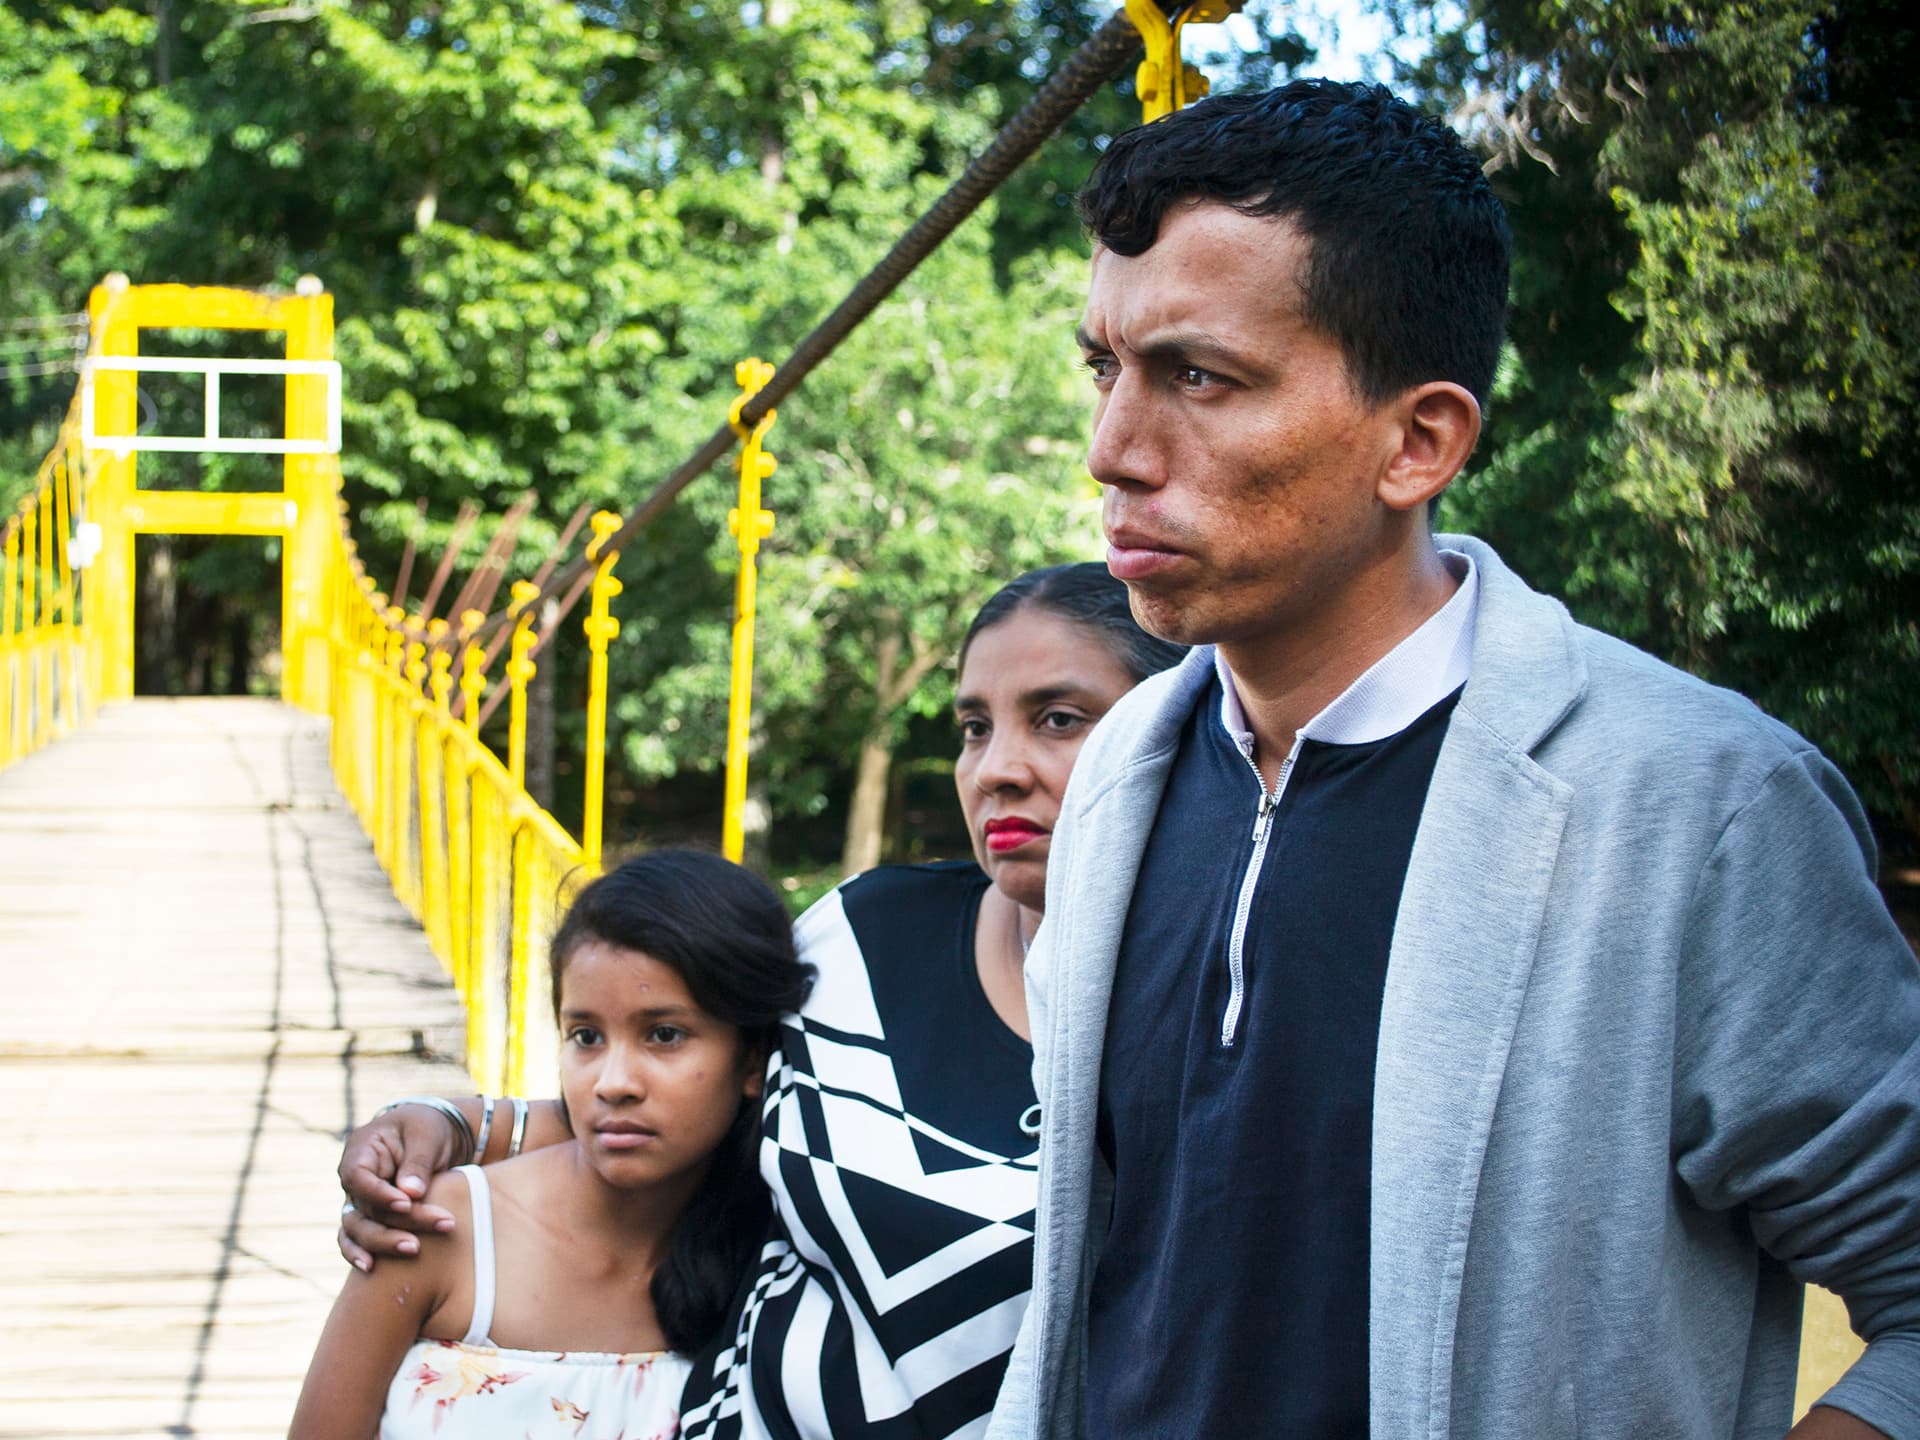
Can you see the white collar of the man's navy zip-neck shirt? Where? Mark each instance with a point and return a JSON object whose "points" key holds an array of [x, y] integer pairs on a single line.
{"points": [[1399, 688]]}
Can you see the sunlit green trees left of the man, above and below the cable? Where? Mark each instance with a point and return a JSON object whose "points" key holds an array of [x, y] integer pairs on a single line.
{"points": [[552, 231]]}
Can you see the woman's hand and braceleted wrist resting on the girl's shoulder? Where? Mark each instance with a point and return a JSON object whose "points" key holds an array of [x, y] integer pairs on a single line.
{"points": [[391, 1161]]}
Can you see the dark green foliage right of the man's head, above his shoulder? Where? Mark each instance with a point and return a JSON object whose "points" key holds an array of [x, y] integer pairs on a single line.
{"points": [[1702, 435]]}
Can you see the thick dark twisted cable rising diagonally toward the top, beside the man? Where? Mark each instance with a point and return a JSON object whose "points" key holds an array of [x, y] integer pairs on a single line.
{"points": [[1099, 60]]}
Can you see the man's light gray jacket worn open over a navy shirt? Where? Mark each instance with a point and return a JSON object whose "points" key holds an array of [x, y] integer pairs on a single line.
{"points": [[1650, 1057]]}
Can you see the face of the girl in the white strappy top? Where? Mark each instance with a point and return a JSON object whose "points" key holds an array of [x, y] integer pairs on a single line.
{"points": [[652, 1080]]}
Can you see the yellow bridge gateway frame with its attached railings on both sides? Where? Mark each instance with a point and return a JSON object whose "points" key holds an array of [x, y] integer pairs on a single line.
{"points": [[468, 848]]}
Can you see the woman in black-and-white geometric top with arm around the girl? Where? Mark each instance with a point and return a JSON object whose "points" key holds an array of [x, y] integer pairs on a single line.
{"points": [[900, 1116]]}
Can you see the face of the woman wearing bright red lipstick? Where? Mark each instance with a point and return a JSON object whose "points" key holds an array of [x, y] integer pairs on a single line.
{"points": [[1030, 692]]}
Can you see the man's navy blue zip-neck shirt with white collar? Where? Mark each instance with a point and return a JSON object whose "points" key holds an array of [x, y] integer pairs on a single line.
{"points": [[1237, 1093]]}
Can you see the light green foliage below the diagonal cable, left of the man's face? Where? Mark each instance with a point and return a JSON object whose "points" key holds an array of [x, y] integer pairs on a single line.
{"points": [[936, 460]]}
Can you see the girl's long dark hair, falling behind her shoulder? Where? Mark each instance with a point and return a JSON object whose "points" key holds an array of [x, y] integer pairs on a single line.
{"points": [[729, 938]]}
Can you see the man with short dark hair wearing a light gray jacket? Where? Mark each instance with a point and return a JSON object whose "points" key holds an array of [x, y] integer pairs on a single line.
{"points": [[1449, 1020]]}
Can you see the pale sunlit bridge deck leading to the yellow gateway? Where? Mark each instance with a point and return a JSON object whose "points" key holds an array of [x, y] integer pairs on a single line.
{"points": [[204, 980]]}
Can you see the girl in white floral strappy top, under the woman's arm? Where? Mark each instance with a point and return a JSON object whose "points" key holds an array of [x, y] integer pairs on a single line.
{"points": [[583, 1274]]}
